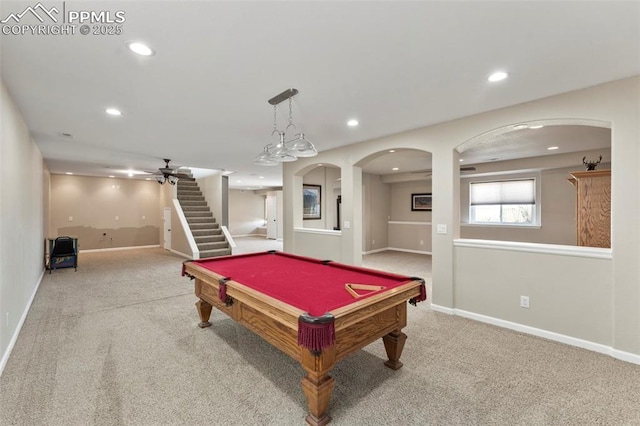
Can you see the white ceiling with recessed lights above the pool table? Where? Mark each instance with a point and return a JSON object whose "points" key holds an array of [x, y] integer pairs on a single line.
{"points": [[201, 100]]}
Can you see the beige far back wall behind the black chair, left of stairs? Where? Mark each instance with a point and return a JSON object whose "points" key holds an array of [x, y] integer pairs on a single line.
{"points": [[106, 212]]}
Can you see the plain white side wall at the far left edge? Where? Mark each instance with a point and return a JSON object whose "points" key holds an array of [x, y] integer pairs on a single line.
{"points": [[22, 195]]}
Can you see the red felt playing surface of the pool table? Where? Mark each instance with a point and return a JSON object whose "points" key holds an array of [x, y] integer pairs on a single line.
{"points": [[312, 285]]}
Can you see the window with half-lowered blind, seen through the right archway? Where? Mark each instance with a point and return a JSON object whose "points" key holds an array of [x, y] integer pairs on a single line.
{"points": [[505, 202]]}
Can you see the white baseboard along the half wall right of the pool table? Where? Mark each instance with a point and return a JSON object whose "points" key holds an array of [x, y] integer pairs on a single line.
{"points": [[556, 337]]}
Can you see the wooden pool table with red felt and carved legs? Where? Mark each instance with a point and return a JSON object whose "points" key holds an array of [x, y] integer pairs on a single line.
{"points": [[316, 311]]}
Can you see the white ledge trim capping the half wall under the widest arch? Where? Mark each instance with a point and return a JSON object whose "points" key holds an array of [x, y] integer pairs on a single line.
{"points": [[554, 249]]}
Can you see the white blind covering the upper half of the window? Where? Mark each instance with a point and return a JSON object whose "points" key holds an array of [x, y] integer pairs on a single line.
{"points": [[521, 191]]}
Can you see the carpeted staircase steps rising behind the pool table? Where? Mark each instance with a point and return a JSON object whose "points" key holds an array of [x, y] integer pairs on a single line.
{"points": [[206, 231]]}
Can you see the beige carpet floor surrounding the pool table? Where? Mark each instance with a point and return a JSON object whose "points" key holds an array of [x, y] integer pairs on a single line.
{"points": [[117, 343]]}
